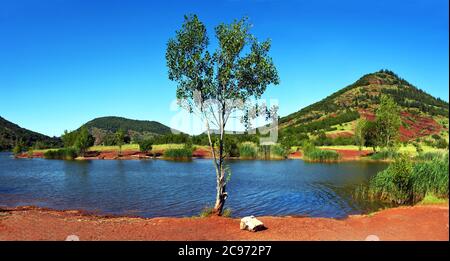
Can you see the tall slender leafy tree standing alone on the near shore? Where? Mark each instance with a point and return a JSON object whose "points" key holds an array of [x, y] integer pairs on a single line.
{"points": [[216, 85]]}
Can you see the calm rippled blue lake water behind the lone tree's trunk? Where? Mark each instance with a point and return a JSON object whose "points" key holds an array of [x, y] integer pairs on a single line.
{"points": [[152, 188]]}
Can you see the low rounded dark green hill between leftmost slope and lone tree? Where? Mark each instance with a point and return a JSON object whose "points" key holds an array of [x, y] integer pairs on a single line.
{"points": [[103, 127]]}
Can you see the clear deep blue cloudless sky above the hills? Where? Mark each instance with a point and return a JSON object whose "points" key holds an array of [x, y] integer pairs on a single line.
{"points": [[63, 63]]}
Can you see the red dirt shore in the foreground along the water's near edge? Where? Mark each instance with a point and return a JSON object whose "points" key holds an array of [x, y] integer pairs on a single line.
{"points": [[405, 223]]}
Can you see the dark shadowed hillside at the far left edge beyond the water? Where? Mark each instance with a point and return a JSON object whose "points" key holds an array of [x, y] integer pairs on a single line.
{"points": [[10, 133]]}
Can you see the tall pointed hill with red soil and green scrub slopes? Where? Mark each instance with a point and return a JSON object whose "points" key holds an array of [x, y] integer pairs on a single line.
{"points": [[422, 114]]}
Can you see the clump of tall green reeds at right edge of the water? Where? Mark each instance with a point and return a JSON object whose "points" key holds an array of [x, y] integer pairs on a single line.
{"points": [[405, 183]]}
